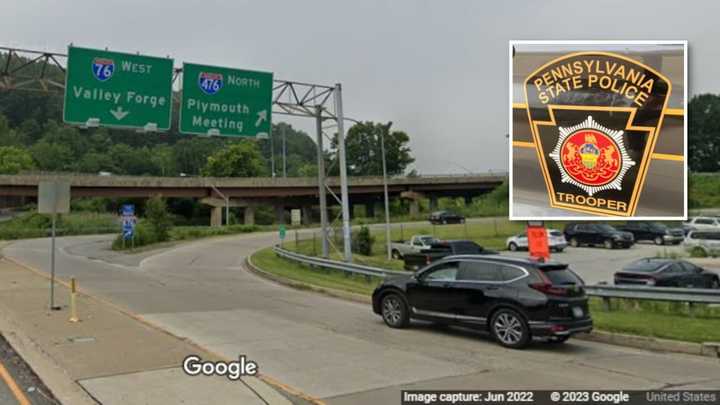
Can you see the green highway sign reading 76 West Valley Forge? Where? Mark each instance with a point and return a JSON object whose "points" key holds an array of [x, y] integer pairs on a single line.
{"points": [[113, 89]]}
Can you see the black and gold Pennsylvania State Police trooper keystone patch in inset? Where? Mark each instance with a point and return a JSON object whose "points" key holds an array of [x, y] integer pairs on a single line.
{"points": [[594, 118]]}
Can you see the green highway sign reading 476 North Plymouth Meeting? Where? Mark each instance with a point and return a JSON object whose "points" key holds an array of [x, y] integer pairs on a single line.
{"points": [[227, 102]]}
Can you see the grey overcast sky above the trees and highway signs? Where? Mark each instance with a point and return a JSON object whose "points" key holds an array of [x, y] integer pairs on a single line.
{"points": [[437, 69]]}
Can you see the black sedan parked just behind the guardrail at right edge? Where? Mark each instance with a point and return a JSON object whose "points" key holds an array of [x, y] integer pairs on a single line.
{"points": [[667, 273]]}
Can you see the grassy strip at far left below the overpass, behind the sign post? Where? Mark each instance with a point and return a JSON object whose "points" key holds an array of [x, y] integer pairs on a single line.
{"points": [[34, 225]]}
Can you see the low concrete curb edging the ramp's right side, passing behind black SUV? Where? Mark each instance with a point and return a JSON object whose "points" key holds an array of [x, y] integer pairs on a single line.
{"points": [[708, 349]]}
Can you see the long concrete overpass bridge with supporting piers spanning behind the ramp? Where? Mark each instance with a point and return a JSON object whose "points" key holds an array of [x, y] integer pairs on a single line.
{"points": [[249, 193]]}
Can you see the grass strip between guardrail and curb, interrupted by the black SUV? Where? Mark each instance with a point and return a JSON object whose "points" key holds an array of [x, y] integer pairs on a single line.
{"points": [[664, 320]]}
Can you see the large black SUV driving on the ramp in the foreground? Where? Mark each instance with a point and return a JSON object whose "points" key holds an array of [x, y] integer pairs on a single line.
{"points": [[514, 299]]}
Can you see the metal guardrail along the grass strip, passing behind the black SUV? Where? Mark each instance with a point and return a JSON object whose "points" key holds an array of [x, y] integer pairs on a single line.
{"points": [[691, 295]]}
